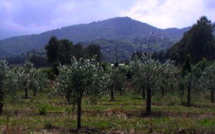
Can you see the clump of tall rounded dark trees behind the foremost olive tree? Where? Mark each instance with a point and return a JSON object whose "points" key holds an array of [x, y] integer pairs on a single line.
{"points": [[61, 51]]}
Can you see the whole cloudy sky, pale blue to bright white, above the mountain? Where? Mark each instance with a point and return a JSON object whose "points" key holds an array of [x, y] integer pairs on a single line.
{"points": [[21, 17]]}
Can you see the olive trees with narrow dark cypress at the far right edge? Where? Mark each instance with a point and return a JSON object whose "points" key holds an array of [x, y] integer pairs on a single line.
{"points": [[197, 78]]}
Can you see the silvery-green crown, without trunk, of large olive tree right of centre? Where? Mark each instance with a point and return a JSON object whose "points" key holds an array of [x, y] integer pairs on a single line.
{"points": [[149, 71]]}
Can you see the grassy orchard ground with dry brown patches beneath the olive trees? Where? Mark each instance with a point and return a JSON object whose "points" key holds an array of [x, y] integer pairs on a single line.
{"points": [[125, 115]]}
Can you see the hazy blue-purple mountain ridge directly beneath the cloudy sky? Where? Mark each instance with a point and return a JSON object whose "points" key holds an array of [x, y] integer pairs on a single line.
{"points": [[120, 28]]}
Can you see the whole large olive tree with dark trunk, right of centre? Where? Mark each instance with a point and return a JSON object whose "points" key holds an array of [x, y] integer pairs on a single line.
{"points": [[151, 73]]}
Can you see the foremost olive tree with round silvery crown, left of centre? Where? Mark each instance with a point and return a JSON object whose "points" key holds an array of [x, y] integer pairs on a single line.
{"points": [[81, 78]]}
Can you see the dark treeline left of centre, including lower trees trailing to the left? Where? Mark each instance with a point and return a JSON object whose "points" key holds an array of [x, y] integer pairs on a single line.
{"points": [[57, 52]]}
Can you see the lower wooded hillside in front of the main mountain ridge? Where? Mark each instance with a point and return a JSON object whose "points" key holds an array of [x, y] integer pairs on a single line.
{"points": [[124, 49]]}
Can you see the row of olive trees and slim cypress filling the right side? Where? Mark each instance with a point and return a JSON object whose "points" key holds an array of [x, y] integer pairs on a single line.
{"points": [[150, 75]]}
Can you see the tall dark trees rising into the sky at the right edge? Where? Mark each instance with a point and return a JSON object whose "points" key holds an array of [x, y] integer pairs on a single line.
{"points": [[198, 42]]}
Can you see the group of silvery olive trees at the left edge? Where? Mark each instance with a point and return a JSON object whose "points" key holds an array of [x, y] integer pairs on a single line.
{"points": [[13, 80]]}
